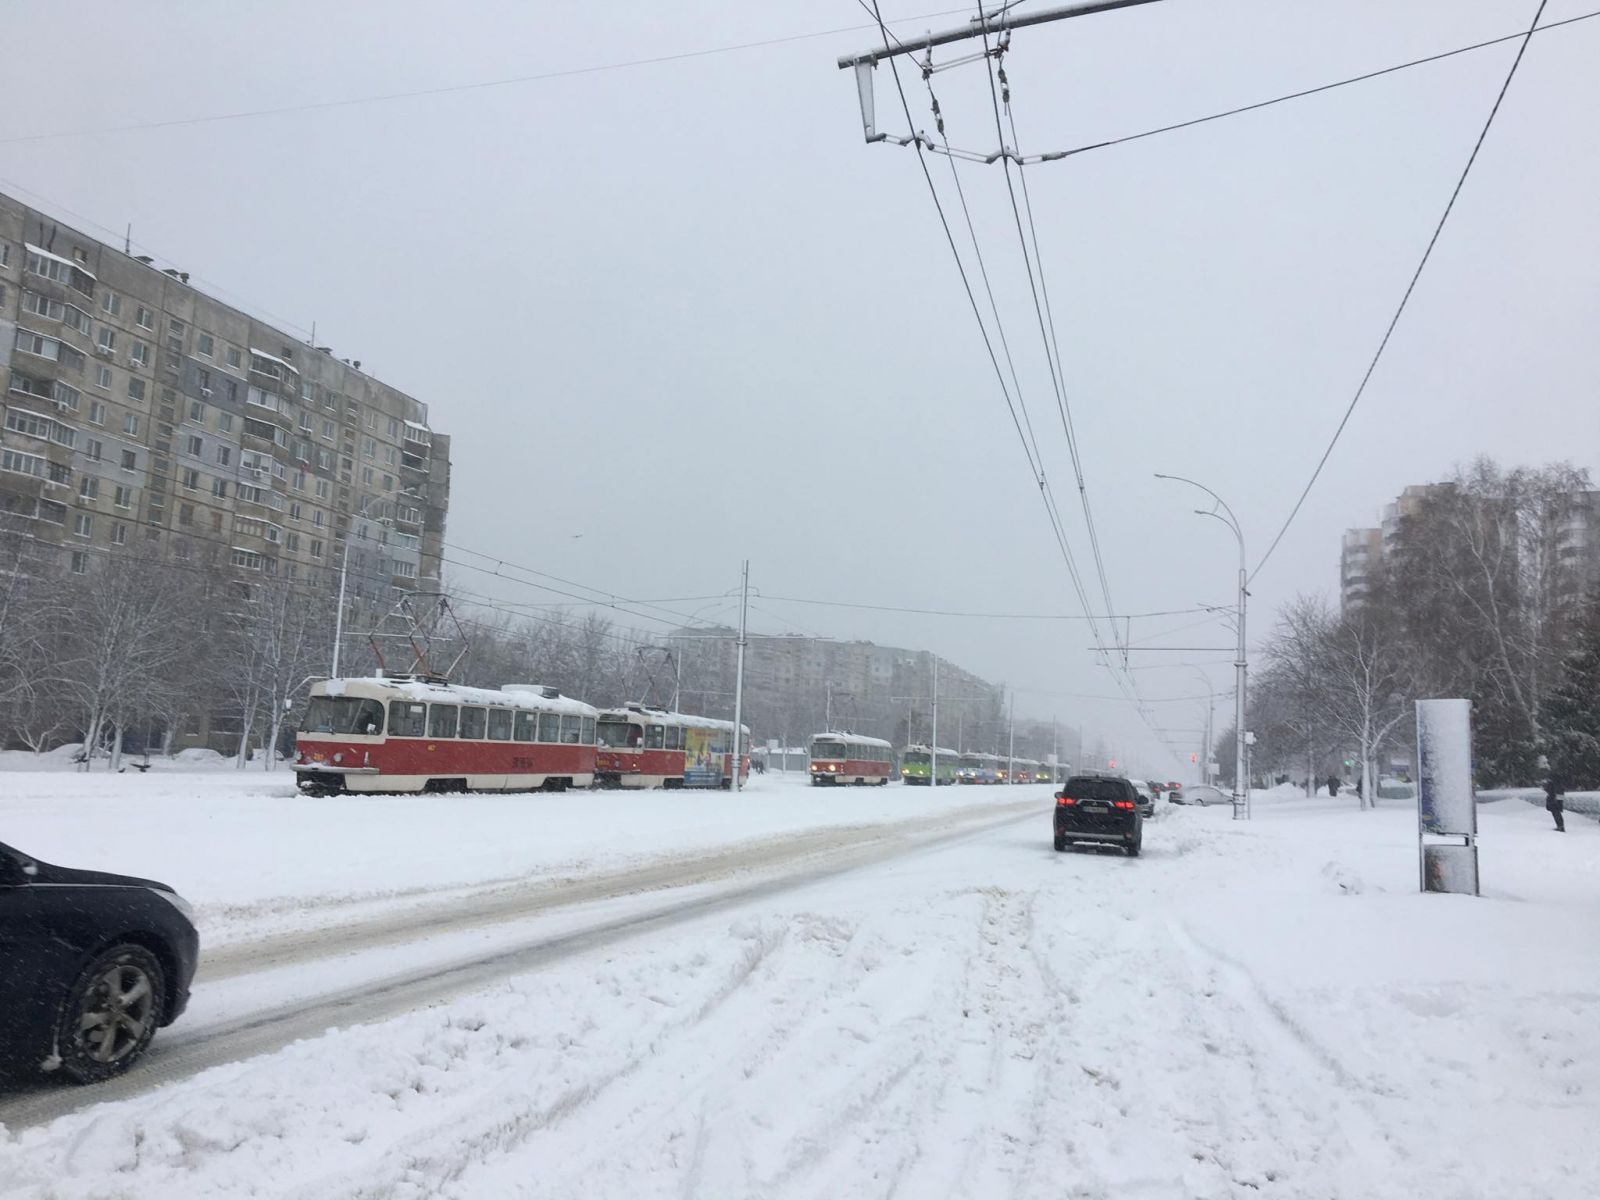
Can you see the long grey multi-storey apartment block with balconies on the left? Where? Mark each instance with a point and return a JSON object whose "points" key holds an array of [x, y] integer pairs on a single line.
{"points": [[138, 414]]}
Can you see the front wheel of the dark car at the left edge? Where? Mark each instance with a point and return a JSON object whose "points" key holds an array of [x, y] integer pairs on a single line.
{"points": [[111, 1014]]}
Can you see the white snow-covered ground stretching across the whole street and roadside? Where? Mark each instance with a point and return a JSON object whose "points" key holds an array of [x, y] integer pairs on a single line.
{"points": [[926, 1001]]}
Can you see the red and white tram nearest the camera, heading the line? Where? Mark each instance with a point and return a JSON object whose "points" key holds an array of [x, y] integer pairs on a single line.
{"points": [[423, 735]]}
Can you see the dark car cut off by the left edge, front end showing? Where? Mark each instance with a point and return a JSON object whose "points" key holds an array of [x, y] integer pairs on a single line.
{"points": [[90, 966]]}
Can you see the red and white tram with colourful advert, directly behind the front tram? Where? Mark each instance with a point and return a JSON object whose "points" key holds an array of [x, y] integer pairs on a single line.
{"points": [[652, 748]]}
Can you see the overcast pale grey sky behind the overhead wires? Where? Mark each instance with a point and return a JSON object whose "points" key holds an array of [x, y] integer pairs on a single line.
{"points": [[686, 313]]}
